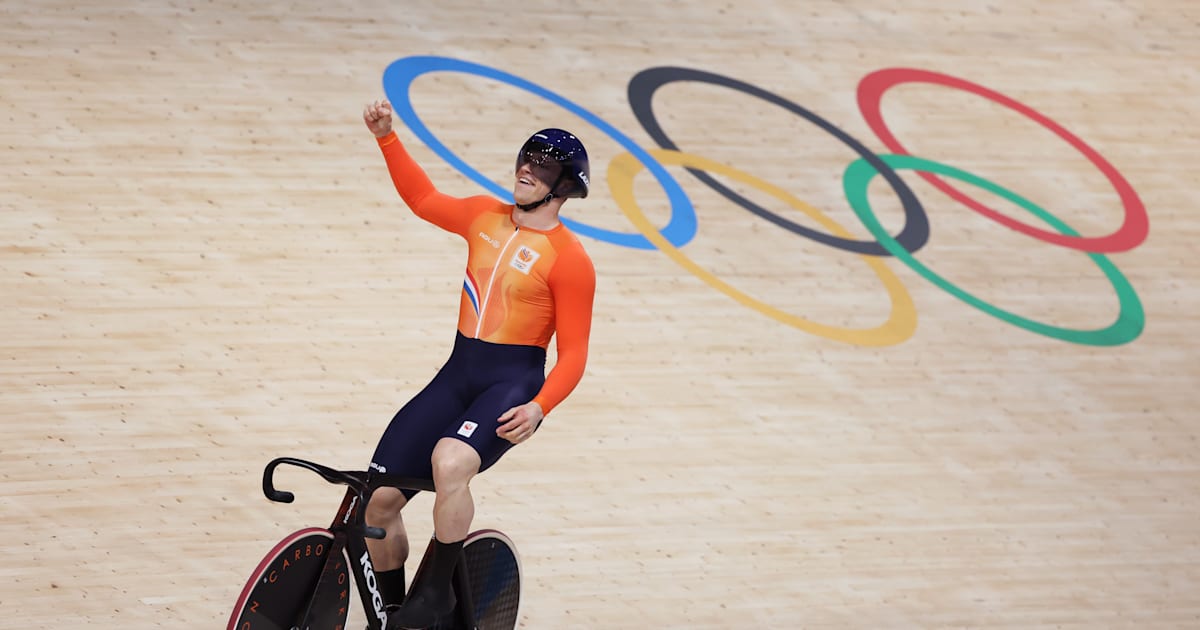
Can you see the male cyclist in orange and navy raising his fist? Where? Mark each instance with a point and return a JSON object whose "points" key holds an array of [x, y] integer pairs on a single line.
{"points": [[527, 280]]}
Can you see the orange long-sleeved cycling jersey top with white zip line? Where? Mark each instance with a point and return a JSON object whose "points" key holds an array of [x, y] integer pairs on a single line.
{"points": [[523, 286]]}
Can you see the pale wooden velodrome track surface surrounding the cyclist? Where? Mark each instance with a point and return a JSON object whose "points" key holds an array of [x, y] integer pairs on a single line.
{"points": [[205, 267]]}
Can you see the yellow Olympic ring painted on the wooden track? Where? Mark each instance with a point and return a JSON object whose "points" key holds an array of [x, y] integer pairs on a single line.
{"points": [[902, 322]]}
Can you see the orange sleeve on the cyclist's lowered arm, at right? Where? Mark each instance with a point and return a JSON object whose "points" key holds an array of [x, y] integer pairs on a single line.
{"points": [[574, 284]]}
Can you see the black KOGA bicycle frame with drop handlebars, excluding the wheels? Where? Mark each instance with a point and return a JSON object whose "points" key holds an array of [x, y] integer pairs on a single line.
{"points": [[351, 532]]}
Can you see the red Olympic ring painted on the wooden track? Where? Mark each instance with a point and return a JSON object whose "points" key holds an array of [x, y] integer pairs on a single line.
{"points": [[1131, 233]]}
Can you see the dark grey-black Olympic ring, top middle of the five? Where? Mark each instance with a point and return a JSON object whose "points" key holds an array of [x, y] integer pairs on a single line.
{"points": [[641, 95]]}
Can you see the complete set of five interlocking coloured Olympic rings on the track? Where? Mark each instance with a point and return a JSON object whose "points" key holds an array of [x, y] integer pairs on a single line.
{"points": [[682, 226]]}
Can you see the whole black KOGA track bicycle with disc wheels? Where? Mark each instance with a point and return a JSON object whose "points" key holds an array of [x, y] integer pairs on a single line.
{"points": [[304, 583]]}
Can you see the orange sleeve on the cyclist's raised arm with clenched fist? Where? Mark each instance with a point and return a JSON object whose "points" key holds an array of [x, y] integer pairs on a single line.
{"points": [[451, 214]]}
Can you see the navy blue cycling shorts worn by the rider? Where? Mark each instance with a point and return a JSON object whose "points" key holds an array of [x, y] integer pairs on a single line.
{"points": [[477, 385]]}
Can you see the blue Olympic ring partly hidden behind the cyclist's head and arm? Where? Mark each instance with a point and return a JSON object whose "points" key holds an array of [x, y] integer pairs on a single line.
{"points": [[399, 77]]}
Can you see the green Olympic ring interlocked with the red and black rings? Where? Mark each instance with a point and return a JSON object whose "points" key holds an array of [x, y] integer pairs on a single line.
{"points": [[1131, 321]]}
